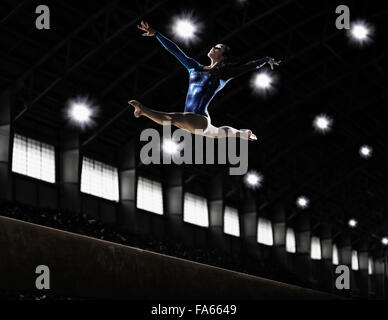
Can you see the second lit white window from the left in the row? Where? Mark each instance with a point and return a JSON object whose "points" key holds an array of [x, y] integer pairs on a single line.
{"points": [[99, 179]]}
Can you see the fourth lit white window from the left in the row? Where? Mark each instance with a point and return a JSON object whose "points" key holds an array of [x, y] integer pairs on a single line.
{"points": [[195, 210]]}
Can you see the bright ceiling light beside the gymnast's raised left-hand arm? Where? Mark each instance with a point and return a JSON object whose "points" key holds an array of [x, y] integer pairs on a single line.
{"points": [[186, 28]]}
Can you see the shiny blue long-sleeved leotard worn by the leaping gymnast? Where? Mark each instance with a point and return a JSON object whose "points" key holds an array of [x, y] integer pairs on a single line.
{"points": [[204, 85]]}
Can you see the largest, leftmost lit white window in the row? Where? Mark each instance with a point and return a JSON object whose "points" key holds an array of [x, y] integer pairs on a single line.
{"points": [[33, 158]]}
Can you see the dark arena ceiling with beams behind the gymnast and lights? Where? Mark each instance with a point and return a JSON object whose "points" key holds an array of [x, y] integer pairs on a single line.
{"points": [[94, 48]]}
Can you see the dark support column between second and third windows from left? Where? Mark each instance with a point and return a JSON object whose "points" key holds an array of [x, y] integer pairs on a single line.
{"points": [[127, 179]]}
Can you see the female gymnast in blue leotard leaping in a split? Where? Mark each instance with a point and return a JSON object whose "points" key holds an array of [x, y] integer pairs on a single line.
{"points": [[205, 82]]}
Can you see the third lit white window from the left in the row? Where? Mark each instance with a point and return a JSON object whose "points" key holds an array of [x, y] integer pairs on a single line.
{"points": [[149, 195]]}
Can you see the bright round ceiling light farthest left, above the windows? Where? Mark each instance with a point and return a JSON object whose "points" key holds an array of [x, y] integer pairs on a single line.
{"points": [[81, 111]]}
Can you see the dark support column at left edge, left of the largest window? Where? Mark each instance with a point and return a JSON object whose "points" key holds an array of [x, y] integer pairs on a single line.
{"points": [[5, 146]]}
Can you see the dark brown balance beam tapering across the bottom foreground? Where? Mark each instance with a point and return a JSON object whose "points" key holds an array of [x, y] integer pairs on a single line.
{"points": [[82, 266]]}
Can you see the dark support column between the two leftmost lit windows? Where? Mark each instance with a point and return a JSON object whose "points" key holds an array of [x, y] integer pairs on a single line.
{"points": [[70, 172]]}
